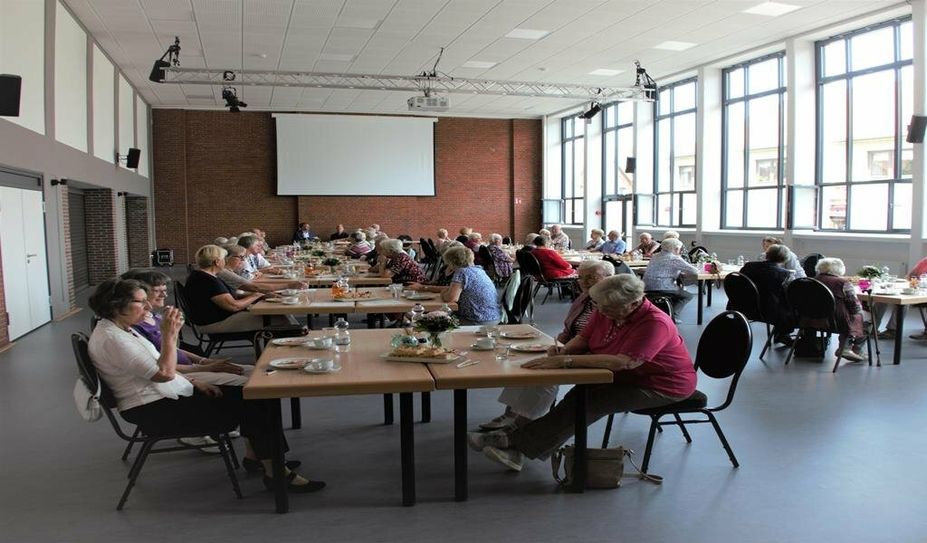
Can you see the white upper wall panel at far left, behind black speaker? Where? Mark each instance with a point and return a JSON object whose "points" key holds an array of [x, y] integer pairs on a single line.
{"points": [[22, 52]]}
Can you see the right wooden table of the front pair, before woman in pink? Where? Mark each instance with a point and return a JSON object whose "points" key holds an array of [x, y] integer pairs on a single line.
{"points": [[492, 374]]}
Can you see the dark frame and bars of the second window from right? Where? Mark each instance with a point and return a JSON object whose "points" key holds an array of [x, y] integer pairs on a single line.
{"points": [[745, 99]]}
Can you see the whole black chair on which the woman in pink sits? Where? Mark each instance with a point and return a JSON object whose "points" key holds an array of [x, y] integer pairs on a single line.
{"points": [[723, 351]]}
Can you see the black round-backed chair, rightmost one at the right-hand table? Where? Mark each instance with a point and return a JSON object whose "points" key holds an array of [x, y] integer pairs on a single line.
{"points": [[814, 306]]}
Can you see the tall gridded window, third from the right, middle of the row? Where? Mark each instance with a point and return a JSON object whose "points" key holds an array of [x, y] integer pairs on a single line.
{"points": [[674, 152]]}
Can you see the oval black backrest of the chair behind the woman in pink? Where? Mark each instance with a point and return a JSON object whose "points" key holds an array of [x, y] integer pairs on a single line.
{"points": [[724, 349]]}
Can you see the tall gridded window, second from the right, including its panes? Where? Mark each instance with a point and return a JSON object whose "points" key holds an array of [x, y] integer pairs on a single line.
{"points": [[752, 149]]}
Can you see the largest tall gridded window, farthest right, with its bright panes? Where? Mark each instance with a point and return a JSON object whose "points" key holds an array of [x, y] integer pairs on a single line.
{"points": [[865, 96]]}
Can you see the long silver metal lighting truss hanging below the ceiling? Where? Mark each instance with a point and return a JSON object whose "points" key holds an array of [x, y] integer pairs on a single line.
{"points": [[422, 83]]}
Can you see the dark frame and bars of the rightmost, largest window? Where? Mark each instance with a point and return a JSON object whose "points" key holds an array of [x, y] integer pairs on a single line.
{"points": [[848, 75]]}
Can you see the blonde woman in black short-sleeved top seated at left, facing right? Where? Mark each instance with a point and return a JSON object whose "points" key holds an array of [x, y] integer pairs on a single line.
{"points": [[212, 304]]}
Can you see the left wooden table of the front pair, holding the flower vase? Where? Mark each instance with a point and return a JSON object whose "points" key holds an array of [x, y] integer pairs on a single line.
{"points": [[363, 372]]}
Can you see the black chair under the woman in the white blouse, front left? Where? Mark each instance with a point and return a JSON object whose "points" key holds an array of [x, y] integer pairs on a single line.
{"points": [[88, 374]]}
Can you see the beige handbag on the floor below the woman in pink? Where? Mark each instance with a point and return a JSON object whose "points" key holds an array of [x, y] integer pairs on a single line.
{"points": [[604, 467]]}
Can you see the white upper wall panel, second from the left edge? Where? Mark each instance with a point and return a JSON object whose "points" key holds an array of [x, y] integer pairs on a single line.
{"points": [[70, 81]]}
